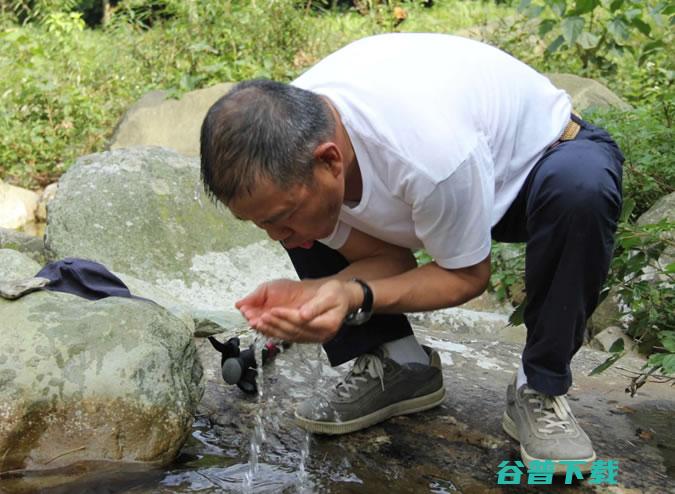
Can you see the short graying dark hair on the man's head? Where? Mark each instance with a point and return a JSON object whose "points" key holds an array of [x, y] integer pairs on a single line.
{"points": [[261, 128]]}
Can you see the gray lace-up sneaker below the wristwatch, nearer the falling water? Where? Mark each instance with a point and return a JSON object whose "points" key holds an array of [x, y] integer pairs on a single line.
{"points": [[375, 389]]}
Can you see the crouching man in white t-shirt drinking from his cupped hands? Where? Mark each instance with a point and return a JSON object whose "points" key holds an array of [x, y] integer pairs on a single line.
{"points": [[407, 141]]}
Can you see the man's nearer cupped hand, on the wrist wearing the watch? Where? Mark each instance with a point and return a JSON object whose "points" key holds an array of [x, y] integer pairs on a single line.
{"points": [[317, 321]]}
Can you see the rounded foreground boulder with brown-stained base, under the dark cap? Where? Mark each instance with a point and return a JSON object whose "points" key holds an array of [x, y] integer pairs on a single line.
{"points": [[112, 380]]}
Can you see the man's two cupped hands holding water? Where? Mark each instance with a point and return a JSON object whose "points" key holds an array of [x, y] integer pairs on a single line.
{"points": [[299, 311]]}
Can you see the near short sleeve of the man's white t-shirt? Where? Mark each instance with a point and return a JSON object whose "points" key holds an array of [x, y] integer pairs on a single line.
{"points": [[454, 220]]}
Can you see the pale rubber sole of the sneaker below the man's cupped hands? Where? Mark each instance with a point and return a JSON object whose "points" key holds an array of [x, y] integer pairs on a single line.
{"points": [[412, 405]]}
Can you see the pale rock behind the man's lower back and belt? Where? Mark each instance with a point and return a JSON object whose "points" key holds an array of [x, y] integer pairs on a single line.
{"points": [[587, 93]]}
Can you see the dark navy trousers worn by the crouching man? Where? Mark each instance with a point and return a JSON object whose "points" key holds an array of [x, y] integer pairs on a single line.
{"points": [[566, 212]]}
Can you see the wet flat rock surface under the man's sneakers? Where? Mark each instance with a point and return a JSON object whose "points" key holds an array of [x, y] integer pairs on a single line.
{"points": [[456, 447]]}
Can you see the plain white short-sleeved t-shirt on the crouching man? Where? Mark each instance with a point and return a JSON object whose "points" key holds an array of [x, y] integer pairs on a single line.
{"points": [[445, 131]]}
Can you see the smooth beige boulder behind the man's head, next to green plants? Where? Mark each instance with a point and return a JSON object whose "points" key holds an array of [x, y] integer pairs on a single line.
{"points": [[158, 120]]}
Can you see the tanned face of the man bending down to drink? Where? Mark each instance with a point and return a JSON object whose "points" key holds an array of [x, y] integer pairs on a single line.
{"points": [[297, 215]]}
